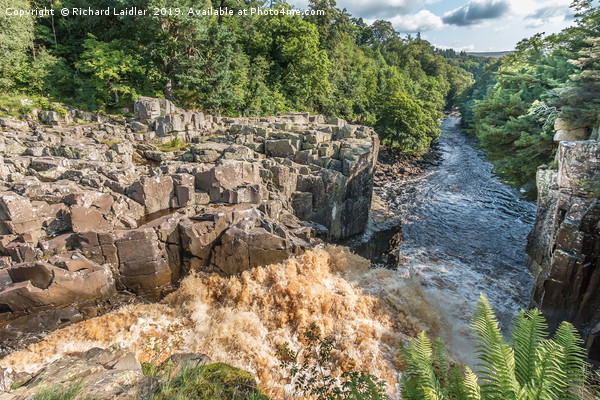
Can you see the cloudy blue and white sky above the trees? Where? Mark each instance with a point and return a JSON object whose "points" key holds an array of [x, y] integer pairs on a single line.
{"points": [[470, 25]]}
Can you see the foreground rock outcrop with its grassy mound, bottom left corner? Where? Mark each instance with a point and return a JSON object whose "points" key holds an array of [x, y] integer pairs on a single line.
{"points": [[115, 373]]}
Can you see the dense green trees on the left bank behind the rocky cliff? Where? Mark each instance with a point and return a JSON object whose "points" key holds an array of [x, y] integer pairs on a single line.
{"points": [[326, 63]]}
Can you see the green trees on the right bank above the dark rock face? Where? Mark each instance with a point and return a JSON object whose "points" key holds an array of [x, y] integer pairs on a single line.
{"points": [[514, 103]]}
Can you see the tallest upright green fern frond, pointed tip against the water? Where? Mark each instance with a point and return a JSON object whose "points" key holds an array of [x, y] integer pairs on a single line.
{"points": [[496, 358]]}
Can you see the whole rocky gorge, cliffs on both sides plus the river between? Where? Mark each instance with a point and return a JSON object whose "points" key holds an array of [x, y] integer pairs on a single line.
{"points": [[176, 232]]}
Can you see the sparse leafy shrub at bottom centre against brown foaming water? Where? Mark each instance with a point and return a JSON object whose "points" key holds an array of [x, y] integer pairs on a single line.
{"points": [[307, 369]]}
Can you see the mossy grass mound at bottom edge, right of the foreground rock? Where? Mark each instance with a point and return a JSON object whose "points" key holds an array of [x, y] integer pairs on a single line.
{"points": [[208, 382]]}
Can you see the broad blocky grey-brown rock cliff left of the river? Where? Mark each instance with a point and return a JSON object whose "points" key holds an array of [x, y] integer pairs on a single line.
{"points": [[92, 206]]}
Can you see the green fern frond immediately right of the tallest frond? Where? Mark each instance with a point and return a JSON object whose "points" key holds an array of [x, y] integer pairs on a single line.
{"points": [[528, 331]]}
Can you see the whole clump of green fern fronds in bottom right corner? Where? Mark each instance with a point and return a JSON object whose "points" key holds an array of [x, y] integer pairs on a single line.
{"points": [[530, 366]]}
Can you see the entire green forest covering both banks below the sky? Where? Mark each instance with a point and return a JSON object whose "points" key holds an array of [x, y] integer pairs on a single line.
{"points": [[331, 64]]}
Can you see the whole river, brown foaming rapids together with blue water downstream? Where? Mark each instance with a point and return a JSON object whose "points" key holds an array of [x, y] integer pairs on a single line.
{"points": [[464, 233]]}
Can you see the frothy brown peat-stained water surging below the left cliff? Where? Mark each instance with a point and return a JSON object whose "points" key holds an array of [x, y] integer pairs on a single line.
{"points": [[240, 320]]}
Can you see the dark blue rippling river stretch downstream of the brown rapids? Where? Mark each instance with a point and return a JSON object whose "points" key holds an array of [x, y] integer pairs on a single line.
{"points": [[464, 233]]}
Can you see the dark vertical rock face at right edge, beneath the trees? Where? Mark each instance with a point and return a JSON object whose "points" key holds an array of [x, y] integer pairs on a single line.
{"points": [[564, 245]]}
